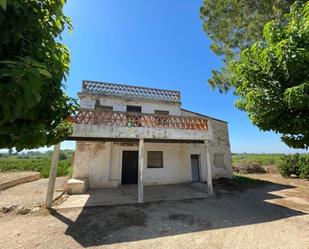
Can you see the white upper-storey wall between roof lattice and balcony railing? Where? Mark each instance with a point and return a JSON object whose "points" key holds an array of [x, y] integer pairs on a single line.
{"points": [[120, 104]]}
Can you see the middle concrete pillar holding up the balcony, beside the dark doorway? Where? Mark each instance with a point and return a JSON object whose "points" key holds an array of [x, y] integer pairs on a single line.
{"points": [[140, 184]]}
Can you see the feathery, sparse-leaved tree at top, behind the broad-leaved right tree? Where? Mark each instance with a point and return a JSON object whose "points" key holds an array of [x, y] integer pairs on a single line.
{"points": [[233, 25]]}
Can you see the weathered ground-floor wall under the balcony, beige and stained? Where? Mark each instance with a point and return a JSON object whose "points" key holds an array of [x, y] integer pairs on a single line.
{"points": [[101, 163]]}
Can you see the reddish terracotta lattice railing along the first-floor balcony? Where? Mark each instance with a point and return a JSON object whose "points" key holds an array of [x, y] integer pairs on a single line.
{"points": [[129, 119]]}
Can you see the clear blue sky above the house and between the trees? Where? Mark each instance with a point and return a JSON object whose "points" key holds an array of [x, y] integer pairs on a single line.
{"points": [[161, 44]]}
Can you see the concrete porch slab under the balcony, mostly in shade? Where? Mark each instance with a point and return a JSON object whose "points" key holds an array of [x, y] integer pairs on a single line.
{"points": [[127, 194]]}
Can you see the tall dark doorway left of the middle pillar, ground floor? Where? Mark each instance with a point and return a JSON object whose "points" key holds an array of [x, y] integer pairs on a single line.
{"points": [[129, 167]]}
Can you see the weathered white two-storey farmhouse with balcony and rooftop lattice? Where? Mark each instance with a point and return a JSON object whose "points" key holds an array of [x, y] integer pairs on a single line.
{"points": [[138, 135]]}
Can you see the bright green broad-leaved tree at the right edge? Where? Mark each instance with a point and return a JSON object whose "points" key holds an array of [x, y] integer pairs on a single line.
{"points": [[272, 78]]}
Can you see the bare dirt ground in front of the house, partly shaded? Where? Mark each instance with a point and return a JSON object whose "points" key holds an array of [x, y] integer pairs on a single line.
{"points": [[241, 215]]}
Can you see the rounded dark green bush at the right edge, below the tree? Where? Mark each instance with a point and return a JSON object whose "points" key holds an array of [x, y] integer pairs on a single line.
{"points": [[297, 165]]}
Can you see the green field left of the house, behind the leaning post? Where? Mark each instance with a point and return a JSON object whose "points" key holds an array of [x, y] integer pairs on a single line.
{"points": [[38, 162]]}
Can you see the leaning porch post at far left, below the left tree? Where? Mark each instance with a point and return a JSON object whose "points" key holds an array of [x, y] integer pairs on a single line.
{"points": [[52, 176]]}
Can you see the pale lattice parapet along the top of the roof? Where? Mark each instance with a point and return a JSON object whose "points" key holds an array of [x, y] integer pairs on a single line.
{"points": [[126, 90]]}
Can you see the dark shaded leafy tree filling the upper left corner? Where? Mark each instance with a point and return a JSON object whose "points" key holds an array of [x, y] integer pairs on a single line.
{"points": [[33, 64]]}
